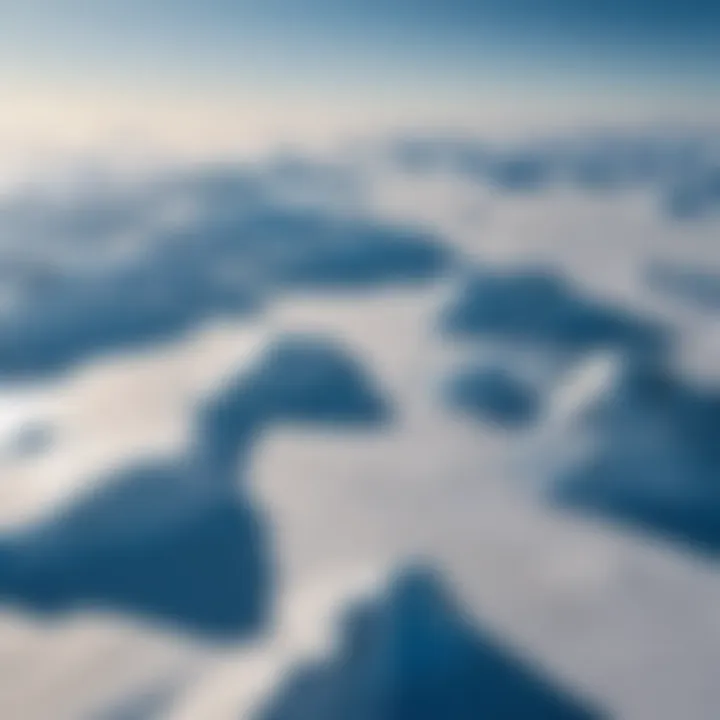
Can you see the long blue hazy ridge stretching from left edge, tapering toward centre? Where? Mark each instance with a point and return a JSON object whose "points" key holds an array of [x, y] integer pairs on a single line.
{"points": [[98, 271]]}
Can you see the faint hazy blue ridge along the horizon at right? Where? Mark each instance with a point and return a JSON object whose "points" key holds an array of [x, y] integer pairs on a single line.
{"points": [[682, 170]]}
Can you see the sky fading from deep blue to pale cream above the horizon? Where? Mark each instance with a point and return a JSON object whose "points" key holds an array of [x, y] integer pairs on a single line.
{"points": [[86, 64]]}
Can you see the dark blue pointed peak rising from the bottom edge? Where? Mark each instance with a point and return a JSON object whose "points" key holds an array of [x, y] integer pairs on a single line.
{"points": [[412, 655]]}
